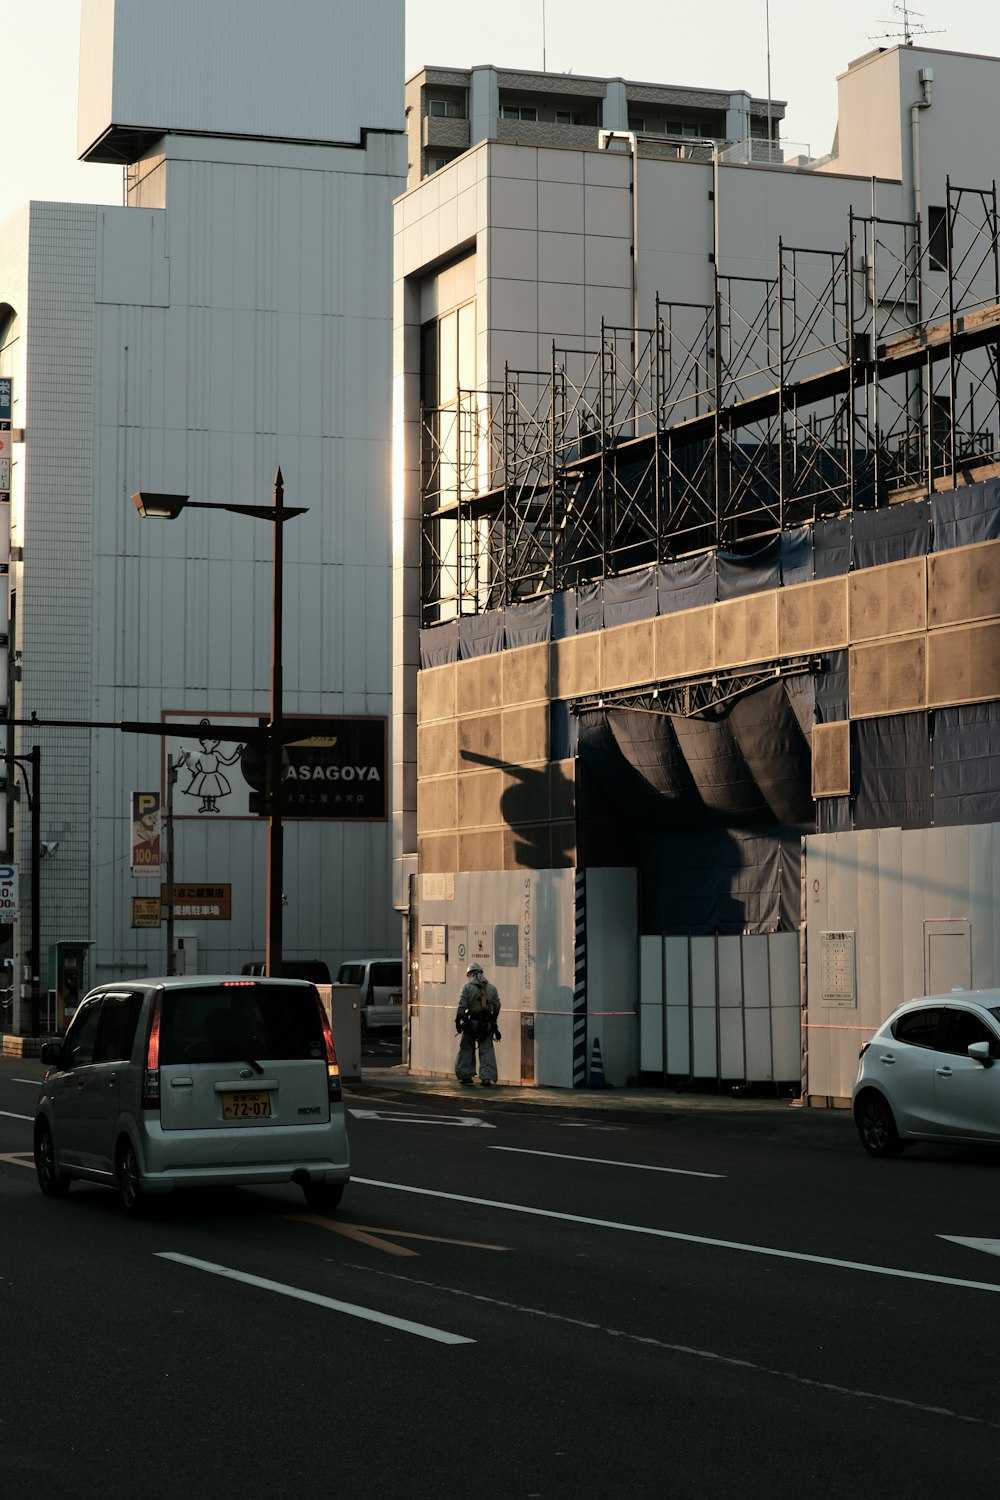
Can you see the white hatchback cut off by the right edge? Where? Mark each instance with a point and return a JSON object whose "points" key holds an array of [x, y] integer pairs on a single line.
{"points": [[930, 1075]]}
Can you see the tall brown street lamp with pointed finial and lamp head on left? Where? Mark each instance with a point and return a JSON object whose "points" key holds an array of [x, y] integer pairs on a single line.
{"points": [[167, 508]]}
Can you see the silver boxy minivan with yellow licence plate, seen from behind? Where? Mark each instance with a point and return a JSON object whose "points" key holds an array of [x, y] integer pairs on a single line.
{"points": [[194, 1082]]}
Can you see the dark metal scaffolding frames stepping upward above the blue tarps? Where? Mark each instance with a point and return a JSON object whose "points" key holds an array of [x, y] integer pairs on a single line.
{"points": [[852, 379]]}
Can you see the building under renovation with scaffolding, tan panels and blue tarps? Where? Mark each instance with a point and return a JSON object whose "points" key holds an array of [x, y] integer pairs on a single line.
{"points": [[593, 515]]}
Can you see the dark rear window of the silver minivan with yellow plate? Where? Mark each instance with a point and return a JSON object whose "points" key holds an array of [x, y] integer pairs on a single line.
{"points": [[238, 1022]]}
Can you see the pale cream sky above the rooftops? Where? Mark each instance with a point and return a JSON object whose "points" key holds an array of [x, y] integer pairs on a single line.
{"points": [[720, 44]]}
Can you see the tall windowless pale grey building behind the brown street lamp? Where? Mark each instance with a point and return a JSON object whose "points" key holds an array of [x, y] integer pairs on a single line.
{"points": [[233, 317]]}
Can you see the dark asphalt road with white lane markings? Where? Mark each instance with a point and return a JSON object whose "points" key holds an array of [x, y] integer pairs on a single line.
{"points": [[515, 1303]]}
